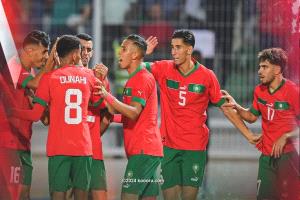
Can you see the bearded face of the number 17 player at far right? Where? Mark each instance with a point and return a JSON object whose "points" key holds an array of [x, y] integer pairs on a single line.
{"points": [[267, 72]]}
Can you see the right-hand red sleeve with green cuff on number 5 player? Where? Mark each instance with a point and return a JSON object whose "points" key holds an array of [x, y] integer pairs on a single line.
{"points": [[214, 91]]}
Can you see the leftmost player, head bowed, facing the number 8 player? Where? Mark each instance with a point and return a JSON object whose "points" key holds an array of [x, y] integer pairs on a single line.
{"points": [[33, 54]]}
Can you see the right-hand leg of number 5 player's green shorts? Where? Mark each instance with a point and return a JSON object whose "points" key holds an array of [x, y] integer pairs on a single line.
{"points": [[193, 167]]}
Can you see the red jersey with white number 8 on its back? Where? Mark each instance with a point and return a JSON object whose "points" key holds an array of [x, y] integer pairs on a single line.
{"points": [[67, 90]]}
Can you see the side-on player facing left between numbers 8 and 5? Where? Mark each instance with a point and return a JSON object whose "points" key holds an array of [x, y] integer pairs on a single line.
{"points": [[142, 139]]}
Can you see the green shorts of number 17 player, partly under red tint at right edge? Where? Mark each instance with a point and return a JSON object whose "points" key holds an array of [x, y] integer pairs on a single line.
{"points": [[278, 177]]}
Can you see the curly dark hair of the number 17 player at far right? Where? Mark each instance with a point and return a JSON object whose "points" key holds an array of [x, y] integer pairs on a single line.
{"points": [[275, 56]]}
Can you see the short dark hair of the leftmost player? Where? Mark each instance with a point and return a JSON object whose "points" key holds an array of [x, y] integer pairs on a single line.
{"points": [[37, 37]]}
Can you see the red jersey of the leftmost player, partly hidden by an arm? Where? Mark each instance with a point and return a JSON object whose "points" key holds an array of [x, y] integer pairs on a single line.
{"points": [[23, 128]]}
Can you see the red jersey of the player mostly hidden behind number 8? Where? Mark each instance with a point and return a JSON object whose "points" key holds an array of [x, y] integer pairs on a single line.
{"points": [[95, 124]]}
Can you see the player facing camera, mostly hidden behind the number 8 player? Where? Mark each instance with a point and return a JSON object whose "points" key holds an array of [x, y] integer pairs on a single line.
{"points": [[98, 177]]}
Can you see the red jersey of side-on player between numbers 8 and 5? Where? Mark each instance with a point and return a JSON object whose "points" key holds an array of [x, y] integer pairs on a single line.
{"points": [[142, 136]]}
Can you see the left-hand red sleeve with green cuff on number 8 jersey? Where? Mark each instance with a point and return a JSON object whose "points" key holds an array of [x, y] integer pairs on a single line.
{"points": [[42, 95]]}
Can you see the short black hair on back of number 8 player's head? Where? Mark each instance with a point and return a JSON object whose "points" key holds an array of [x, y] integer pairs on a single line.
{"points": [[66, 44]]}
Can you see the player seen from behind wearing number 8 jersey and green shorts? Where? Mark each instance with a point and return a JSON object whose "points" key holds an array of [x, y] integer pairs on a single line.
{"points": [[69, 148]]}
